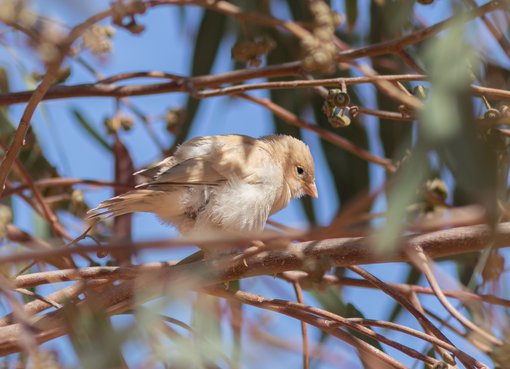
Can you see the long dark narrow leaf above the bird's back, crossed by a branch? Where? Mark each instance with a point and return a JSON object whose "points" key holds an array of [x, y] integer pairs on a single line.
{"points": [[207, 44]]}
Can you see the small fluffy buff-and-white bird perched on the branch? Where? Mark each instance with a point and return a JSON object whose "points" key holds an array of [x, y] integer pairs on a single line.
{"points": [[225, 183]]}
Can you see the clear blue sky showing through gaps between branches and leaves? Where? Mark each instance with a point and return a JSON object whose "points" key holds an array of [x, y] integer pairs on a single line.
{"points": [[166, 46]]}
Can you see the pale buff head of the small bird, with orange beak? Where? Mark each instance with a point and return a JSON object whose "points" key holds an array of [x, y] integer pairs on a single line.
{"points": [[297, 161]]}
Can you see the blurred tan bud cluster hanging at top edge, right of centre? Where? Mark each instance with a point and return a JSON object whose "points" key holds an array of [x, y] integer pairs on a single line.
{"points": [[320, 48]]}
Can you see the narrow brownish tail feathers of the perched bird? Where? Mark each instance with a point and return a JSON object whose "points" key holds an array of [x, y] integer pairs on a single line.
{"points": [[129, 202]]}
